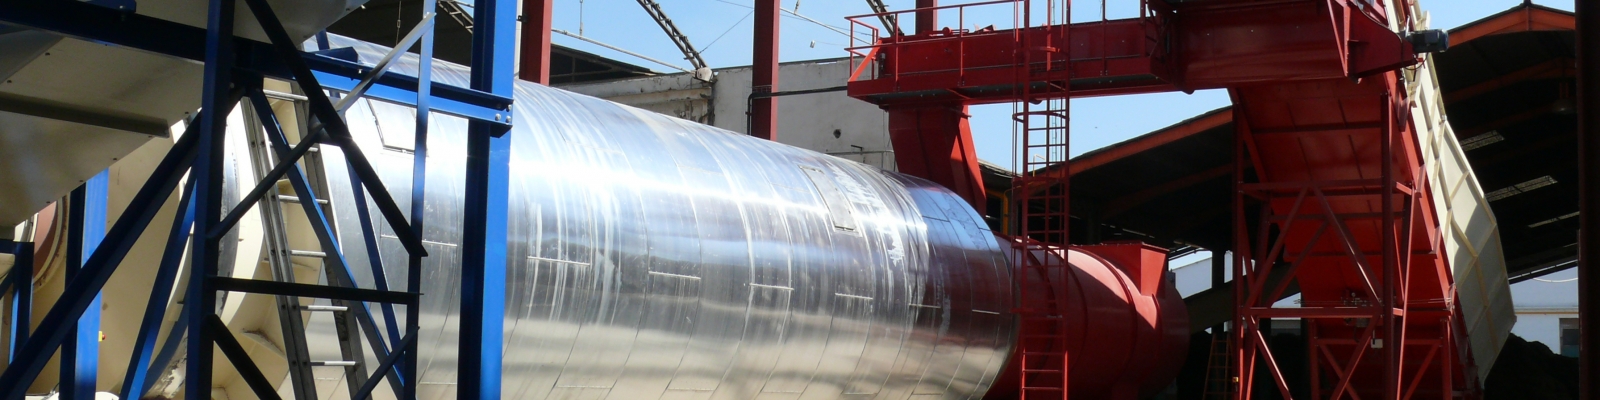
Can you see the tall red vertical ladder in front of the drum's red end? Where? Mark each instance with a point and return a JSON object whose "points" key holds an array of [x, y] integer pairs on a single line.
{"points": [[1042, 207]]}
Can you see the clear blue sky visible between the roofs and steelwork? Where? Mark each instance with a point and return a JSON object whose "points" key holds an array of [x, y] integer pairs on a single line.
{"points": [[722, 31]]}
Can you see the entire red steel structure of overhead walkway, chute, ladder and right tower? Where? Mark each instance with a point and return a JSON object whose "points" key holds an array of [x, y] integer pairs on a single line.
{"points": [[1329, 177]]}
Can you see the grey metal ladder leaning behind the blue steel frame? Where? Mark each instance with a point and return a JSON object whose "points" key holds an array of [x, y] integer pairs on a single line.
{"points": [[281, 255]]}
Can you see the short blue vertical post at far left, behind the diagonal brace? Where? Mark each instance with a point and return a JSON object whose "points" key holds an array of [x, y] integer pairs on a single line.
{"points": [[86, 231]]}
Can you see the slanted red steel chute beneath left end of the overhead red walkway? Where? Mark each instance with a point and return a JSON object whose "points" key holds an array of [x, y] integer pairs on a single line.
{"points": [[937, 143]]}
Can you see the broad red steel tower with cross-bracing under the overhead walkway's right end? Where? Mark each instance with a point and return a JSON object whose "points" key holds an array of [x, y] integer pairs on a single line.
{"points": [[1346, 207]]}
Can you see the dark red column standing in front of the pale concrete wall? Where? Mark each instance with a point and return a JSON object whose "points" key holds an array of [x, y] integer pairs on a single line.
{"points": [[764, 71]]}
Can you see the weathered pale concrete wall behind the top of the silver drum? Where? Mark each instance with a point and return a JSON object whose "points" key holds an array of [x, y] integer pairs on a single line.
{"points": [[825, 122]]}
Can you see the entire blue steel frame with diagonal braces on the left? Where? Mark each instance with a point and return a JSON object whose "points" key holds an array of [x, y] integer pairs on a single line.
{"points": [[233, 71]]}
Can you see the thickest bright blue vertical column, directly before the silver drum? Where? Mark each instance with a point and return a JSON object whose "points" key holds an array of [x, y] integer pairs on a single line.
{"points": [[484, 242]]}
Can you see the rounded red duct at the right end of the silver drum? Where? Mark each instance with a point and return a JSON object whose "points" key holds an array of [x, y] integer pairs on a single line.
{"points": [[1127, 326]]}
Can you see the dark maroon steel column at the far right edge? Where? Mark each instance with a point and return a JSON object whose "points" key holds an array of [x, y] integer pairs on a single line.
{"points": [[1590, 198]]}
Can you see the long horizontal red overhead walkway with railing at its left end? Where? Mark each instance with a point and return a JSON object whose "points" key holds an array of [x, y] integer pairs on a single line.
{"points": [[1204, 47]]}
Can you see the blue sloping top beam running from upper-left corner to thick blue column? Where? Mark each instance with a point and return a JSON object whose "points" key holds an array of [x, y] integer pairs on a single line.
{"points": [[100, 25]]}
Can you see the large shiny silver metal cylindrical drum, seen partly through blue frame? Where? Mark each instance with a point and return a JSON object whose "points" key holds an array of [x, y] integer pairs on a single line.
{"points": [[658, 258]]}
